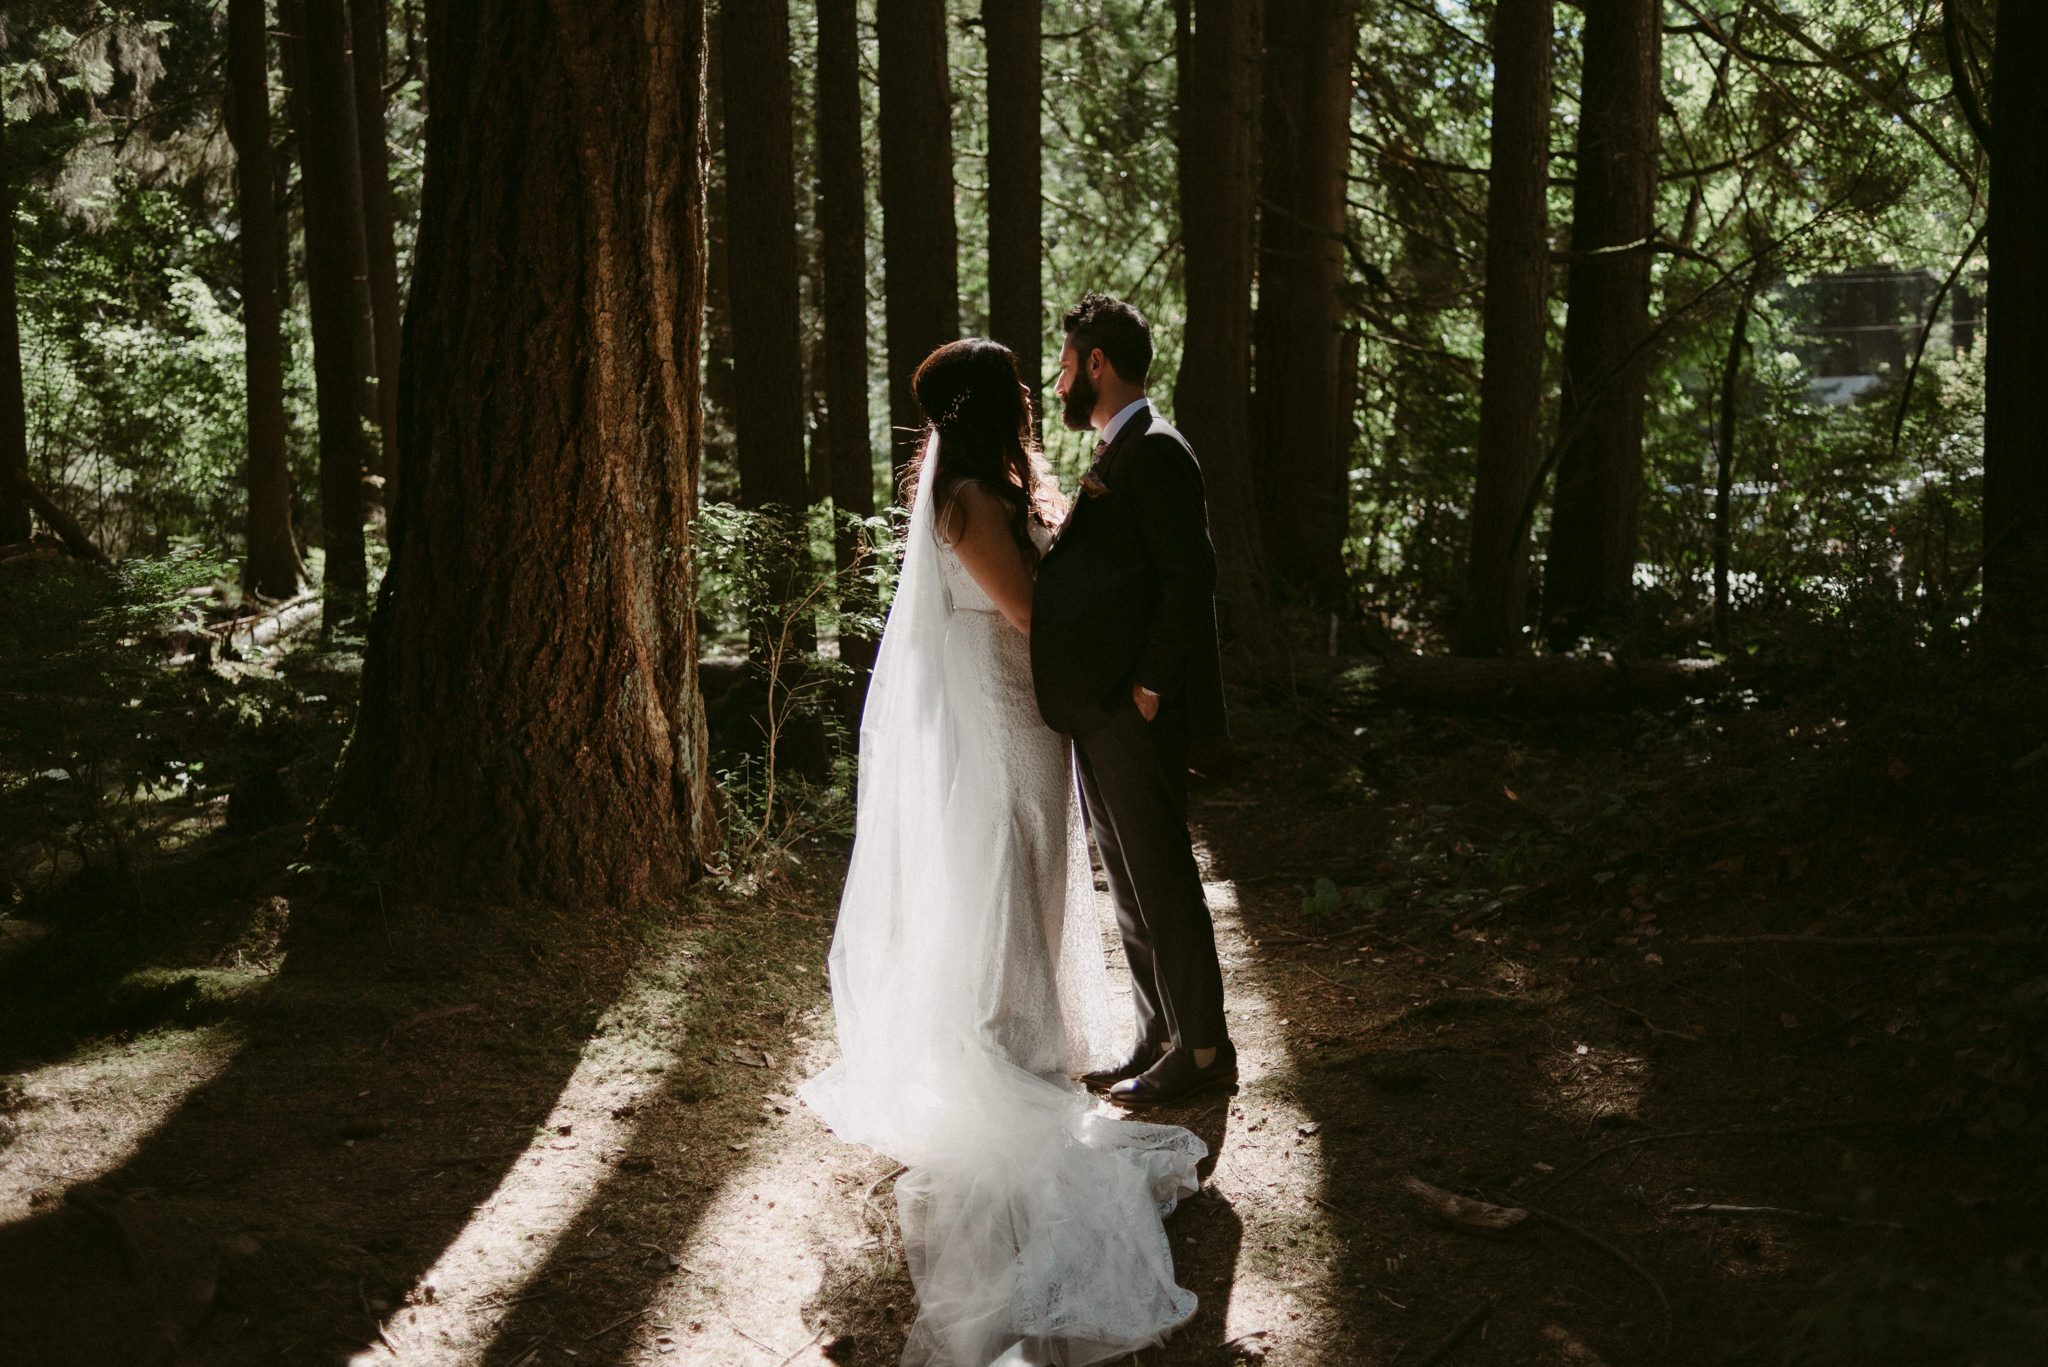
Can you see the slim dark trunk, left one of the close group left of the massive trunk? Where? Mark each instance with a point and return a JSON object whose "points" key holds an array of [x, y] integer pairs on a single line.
{"points": [[273, 554]]}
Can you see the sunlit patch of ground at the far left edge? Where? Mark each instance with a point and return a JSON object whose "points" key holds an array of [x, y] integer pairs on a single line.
{"points": [[79, 1120]]}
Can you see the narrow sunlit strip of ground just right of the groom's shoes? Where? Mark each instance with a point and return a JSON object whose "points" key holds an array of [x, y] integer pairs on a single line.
{"points": [[1269, 1169]]}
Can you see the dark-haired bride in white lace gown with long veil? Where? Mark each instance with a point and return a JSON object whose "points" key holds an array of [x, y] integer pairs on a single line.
{"points": [[968, 968]]}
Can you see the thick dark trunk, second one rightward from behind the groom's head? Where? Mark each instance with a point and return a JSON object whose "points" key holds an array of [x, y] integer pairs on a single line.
{"points": [[1306, 155]]}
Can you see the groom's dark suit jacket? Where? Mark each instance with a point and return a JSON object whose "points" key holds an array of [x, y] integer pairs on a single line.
{"points": [[1129, 591]]}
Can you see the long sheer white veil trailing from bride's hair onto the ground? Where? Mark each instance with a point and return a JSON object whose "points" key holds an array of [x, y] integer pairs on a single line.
{"points": [[1029, 1223]]}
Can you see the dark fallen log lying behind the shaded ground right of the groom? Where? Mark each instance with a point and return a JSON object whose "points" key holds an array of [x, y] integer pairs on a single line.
{"points": [[1541, 683]]}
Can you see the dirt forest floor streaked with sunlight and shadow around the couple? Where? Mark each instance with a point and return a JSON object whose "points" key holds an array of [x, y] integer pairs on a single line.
{"points": [[265, 1112]]}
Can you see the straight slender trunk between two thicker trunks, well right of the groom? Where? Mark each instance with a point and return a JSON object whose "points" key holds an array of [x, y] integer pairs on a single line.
{"points": [[1517, 327]]}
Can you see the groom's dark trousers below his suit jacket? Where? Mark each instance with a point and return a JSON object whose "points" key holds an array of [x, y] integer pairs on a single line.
{"points": [[1136, 792]]}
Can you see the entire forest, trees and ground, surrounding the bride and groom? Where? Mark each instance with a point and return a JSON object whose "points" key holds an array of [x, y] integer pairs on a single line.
{"points": [[447, 511]]}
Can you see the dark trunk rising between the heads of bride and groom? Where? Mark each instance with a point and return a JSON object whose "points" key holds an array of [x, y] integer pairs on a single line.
{"points": [[1017, 290]]}
